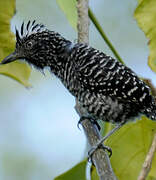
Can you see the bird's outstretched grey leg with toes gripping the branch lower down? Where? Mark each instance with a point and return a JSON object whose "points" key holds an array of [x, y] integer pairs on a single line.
{"points": [[100, 143]]}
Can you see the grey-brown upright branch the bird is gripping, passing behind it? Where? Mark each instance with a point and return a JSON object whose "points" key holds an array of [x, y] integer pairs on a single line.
{"points": [[100, 157]]}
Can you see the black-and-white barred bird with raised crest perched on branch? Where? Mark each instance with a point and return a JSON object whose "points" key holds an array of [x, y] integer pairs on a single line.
{"points": [[107, 89]]}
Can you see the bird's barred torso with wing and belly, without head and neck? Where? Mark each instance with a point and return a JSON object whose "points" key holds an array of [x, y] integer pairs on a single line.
{"points": [[108, 89]]}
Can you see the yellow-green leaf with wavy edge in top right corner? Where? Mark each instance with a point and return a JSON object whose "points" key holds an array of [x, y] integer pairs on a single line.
{"points": [[145, 15]]}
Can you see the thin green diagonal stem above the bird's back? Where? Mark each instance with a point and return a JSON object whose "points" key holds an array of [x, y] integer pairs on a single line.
{"points": [[102, 33]]}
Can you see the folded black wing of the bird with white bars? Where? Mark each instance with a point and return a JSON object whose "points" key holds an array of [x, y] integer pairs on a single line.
{"points": [[102, 74]]}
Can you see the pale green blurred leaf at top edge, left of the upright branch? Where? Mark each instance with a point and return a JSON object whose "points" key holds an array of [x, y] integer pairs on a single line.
{"points": [[69, 9]]}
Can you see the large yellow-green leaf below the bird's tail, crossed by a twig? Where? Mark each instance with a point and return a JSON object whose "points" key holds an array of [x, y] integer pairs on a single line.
{"points": [[130, 146]]}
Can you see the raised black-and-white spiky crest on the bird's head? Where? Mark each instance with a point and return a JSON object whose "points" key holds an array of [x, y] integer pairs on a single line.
{"points": [[28, 29]]}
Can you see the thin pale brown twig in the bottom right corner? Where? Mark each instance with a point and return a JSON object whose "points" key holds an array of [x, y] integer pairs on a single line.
{"points": [[148, 161]]}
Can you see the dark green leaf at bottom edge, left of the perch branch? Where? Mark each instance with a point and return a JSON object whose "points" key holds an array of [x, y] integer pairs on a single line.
{"points": [[78, 172]]}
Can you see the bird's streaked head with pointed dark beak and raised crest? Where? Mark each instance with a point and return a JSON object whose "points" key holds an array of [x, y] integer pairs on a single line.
{"points": [[37, 45]]}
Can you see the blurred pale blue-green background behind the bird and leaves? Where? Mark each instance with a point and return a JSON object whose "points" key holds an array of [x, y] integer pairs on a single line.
{"points": [[39, 138]]}
